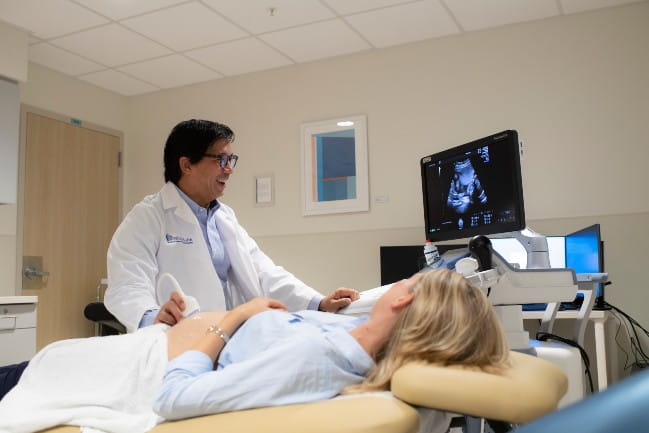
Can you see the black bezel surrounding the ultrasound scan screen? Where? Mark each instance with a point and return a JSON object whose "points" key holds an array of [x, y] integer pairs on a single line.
{"points": [[508, 138]]}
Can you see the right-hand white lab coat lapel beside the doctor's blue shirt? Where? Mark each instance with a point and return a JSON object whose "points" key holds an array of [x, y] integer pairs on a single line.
{"points": [[247, 281]]}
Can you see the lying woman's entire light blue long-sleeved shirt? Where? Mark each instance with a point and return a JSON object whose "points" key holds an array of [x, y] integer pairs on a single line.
{"points": [[275, 358]]}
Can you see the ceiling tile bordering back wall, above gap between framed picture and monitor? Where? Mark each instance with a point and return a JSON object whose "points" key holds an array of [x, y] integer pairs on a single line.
{"points": [[404, 23]]}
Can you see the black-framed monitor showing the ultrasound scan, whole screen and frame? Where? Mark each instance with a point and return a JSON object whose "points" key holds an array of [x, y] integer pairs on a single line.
{"points": [[473, 189]]}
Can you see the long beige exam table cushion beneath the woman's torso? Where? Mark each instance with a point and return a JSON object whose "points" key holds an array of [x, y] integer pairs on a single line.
{"points": [[363, 414]]}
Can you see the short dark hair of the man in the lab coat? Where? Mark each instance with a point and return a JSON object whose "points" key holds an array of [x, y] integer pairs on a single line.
{"points": [[191, 138]]}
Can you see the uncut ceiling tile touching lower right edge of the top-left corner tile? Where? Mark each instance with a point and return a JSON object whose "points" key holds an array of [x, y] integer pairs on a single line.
{"points": [[111, 45]]}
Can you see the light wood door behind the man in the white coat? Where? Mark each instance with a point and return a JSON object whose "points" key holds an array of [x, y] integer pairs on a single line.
{"points": [[70, 199]]}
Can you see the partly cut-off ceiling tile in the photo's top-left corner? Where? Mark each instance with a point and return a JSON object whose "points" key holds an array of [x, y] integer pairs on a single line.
{"points": [[48, 19]]}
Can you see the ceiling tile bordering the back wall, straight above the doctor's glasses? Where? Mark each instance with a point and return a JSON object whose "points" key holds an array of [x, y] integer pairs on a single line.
{"points": [[239, 57]]}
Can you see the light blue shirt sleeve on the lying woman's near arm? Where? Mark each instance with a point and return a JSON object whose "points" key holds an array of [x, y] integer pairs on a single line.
{"points": [[296, 370]]}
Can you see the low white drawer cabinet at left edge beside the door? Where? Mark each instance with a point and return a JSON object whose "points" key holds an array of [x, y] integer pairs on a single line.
{"points": [[17, 328]]}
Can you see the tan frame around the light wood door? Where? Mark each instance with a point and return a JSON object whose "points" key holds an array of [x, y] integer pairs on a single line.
{"points": [[24, 110]]}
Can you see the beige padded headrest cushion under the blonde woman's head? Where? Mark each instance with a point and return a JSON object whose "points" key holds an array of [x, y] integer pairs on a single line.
{"points": [[528, 389]]}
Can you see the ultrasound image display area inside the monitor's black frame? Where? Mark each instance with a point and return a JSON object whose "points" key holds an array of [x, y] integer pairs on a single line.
{"points": [[471, 190]]}
